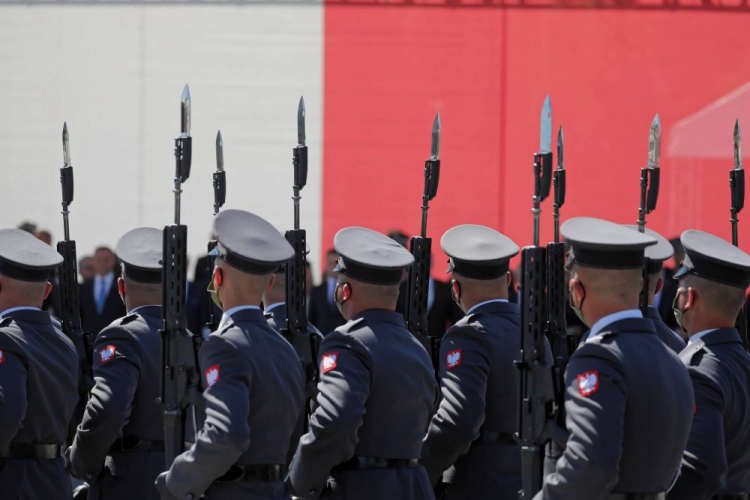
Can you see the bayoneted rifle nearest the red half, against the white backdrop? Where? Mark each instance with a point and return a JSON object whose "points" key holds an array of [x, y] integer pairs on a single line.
{"points": [[295, 270]]}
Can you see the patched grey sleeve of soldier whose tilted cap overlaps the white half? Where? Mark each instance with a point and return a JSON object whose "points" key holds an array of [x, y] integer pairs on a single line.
{"points": [[225, 434]]}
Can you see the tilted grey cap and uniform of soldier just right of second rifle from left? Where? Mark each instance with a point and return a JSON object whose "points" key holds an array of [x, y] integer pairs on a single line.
{"points": [[253, 382]]}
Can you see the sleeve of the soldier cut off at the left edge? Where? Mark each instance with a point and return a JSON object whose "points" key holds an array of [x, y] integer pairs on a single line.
{"points": [[13, 400]]}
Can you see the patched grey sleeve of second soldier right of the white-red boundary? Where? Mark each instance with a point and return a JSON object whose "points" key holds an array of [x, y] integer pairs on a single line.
{"points": [[464, 370]]}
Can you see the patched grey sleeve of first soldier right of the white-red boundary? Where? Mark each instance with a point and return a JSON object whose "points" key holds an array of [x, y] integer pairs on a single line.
{"points": [[332, 438]]}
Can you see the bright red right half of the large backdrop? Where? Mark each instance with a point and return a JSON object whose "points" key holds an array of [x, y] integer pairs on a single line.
{"points": [[389, 69]]}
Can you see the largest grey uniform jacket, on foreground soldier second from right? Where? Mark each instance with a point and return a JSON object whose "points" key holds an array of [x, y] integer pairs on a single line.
{"points": [[629, 404]]}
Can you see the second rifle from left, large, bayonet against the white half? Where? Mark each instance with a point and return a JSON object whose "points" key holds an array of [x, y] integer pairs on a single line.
{"points": [[180, 378]]}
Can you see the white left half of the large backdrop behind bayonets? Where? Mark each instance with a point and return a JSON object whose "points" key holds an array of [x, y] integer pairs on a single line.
{"points": [[115, 74]]}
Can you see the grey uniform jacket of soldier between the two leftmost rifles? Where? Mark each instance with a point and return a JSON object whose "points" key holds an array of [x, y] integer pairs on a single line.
{"points": [[123, 406]]}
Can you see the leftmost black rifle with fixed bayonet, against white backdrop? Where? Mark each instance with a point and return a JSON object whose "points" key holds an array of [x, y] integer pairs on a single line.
{"points": [[70, 314]]}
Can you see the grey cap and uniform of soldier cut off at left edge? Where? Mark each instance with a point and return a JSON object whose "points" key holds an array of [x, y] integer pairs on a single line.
{"points": [[38, 381]]}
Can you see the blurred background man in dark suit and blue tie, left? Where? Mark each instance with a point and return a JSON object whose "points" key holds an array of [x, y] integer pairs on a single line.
{"points": [[100, 302]]}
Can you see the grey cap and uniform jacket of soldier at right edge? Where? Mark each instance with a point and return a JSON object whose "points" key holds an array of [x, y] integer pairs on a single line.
{"points": [[716, 462]]}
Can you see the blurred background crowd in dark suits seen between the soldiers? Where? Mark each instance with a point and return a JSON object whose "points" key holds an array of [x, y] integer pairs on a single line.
{"points": [[100, 302]]}
